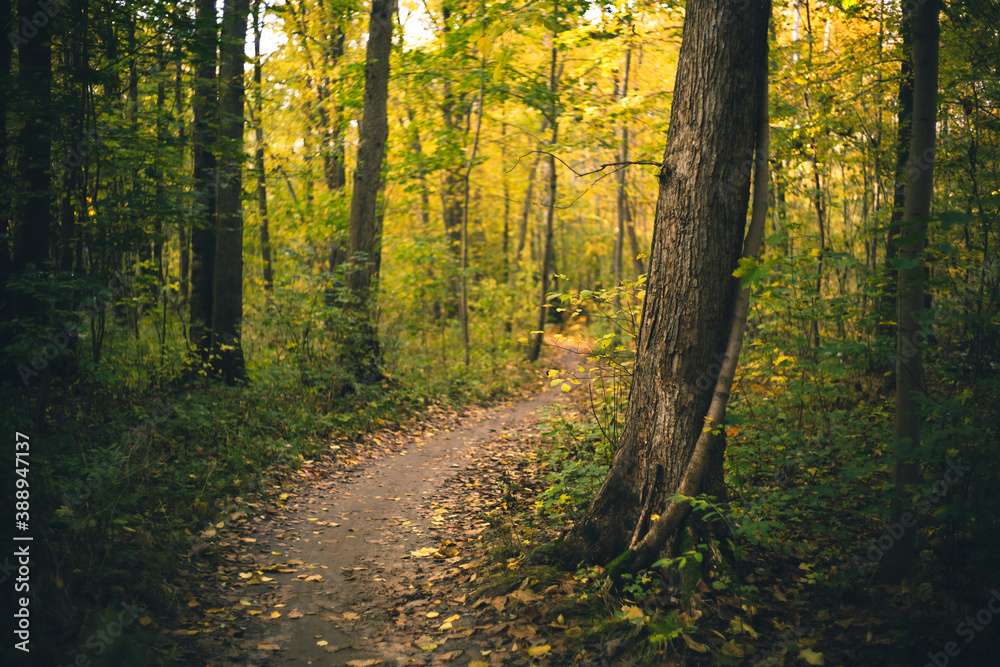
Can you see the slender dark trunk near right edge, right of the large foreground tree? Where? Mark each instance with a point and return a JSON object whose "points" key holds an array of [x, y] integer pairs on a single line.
{"points": [[900, 560]]}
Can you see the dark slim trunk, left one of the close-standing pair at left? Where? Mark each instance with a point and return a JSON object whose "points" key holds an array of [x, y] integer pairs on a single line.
{"points": [[205, 111]]}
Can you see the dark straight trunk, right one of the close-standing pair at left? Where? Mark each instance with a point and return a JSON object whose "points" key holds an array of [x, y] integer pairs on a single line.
{"points": [[227, 301]]}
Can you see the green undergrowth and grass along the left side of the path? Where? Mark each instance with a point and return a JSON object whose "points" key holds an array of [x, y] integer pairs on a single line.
{"points": [[131, 470]]}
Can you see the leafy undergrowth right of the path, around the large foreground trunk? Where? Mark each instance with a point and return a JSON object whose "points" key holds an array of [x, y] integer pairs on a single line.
{"points": [[792, 578]]}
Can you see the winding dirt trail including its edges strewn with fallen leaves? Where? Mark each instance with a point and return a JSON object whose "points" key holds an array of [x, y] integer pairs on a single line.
{"points": [[367, 564]]}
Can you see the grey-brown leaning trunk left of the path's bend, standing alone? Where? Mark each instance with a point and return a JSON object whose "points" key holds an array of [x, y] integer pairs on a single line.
{"points": [[364, 237]]}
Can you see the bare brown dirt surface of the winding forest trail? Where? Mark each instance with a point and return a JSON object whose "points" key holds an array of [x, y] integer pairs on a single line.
{"points": [[363, 558]]}
